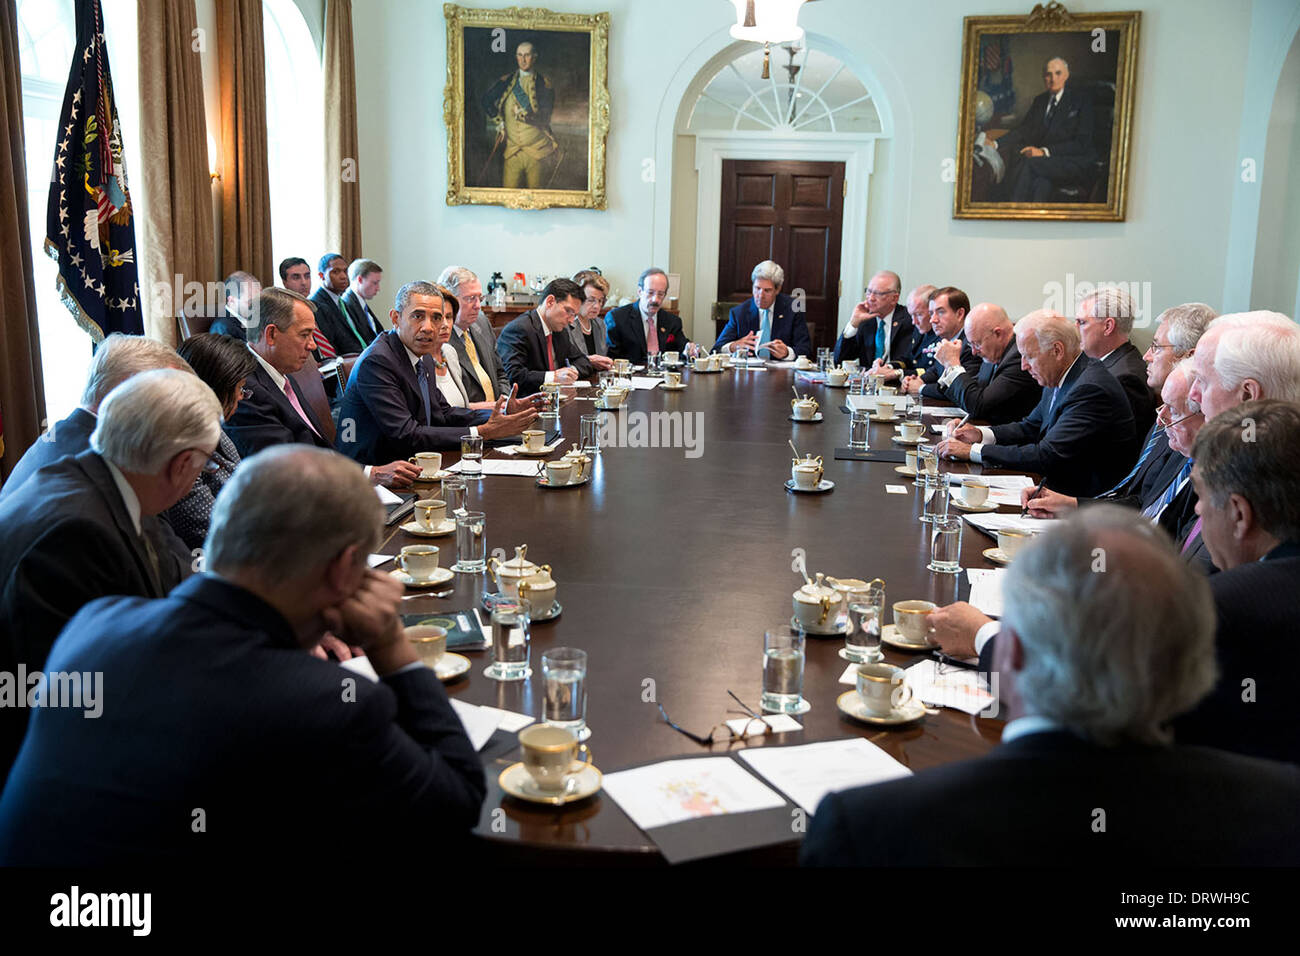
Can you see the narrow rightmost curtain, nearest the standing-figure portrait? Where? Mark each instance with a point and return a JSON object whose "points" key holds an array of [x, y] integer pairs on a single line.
{"points": [[343, 191]]}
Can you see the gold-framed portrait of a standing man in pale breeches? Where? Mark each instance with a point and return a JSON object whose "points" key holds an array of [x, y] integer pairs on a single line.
{"points": [[527, 107]]}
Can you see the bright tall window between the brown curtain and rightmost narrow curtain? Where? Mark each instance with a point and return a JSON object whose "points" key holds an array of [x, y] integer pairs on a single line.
{"points": [[296, 135]]}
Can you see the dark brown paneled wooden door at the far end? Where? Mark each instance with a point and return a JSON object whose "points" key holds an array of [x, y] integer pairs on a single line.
{"points": [[792, 214]]}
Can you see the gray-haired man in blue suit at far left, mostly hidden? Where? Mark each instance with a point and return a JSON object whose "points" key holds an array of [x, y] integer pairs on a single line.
{"points": [[118, 358]]}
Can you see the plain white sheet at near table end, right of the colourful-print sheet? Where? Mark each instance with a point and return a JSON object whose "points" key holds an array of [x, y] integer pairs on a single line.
{"points": [[808, 773]]}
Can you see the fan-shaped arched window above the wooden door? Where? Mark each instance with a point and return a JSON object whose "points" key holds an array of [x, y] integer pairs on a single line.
{"points": [[809, 92]]}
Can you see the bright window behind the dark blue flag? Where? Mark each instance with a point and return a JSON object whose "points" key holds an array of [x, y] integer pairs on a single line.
{"points": [[47, 33]]}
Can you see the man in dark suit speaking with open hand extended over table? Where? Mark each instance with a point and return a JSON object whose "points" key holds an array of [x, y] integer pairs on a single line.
{"points": [[393, 406]]}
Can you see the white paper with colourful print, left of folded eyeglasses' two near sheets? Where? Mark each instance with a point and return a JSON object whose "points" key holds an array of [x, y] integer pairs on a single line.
{"points": [[678, 790]]}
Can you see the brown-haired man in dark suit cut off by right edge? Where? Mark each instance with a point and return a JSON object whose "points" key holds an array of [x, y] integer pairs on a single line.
{"points": [[1250, 520]]}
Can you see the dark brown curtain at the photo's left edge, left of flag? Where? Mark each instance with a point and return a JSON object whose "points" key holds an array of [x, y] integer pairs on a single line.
{"points": [[23, 391]]}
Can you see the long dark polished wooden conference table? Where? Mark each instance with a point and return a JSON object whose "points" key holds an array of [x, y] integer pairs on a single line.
{"points": [[670, 565]]}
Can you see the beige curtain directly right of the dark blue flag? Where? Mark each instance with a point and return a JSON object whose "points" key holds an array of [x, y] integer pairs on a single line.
{"points": [[176, 235]]}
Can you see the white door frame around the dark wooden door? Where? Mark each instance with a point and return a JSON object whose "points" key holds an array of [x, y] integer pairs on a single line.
{"points": [[857, 153]]}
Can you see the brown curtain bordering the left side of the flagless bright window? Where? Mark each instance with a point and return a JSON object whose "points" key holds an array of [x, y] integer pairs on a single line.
{"points": [[245, 180]]}
